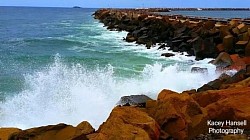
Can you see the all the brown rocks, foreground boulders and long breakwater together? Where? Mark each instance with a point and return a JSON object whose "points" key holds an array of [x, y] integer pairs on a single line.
{"points": [[172, 115]]}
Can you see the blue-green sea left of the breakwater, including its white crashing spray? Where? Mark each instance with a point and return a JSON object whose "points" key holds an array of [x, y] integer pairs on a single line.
{"points": [[60, 65]]}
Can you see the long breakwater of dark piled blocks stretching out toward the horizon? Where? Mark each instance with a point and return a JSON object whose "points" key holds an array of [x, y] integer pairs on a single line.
{"points": [[199, 37]]}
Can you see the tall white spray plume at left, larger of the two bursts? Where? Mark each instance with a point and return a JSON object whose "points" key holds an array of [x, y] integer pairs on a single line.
{"points": [[59, 93]]}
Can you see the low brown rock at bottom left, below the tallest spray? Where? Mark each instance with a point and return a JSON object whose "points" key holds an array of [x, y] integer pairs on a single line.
{"points": [[55, 132]]}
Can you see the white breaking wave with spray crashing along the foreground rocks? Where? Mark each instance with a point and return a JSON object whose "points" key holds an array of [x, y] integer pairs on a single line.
{"points": [[71, 94]]}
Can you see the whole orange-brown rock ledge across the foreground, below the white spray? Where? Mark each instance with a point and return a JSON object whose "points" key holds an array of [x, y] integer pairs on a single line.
{"points": [[172, 115]]}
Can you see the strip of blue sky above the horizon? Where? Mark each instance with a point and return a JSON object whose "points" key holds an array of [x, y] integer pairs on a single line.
{"points": [[129, 3]]}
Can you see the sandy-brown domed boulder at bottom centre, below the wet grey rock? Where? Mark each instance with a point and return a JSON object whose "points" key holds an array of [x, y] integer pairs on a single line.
{"points": [[128, 123]]}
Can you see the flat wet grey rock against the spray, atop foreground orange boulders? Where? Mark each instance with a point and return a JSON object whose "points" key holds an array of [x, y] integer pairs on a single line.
{"points": [[134, 100]]}
